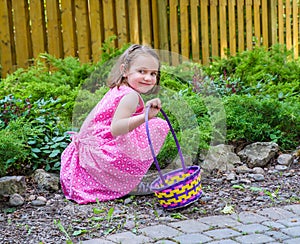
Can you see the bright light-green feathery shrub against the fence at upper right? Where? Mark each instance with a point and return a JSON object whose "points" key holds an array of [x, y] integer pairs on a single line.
{"points": [[256, 71]]}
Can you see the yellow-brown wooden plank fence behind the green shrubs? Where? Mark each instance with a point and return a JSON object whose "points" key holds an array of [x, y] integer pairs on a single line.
{"points": [[196, 29]]}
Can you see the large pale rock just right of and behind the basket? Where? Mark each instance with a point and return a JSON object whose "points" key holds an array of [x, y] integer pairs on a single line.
{"points": [[221, 157]]}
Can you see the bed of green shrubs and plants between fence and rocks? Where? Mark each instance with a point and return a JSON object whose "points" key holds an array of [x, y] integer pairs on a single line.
{"points": [[257, 89]]}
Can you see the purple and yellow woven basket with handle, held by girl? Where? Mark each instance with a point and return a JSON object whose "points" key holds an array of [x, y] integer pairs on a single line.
{"points": [[177, 188]]}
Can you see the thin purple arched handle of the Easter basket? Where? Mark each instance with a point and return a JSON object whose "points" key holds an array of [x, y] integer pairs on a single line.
{"points": [[151, 146]]}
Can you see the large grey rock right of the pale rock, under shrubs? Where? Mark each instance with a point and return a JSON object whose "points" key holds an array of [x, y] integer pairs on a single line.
{"points": [[258, 154]]}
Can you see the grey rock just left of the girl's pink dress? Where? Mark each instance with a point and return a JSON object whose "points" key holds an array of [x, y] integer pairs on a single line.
{"points": [[45, 180]]}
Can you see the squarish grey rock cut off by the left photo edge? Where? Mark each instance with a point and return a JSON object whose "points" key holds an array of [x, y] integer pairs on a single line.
{"points": [[12, 184]]}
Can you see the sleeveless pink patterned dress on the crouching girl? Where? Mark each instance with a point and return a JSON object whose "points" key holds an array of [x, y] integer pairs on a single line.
{"points": [[96, 165]]}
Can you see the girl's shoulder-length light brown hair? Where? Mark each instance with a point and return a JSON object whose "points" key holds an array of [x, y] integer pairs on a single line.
{"points": [[116, 78]]}
